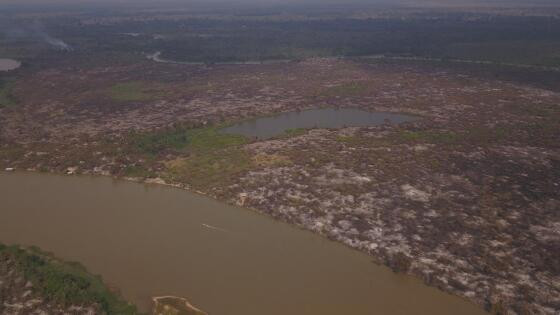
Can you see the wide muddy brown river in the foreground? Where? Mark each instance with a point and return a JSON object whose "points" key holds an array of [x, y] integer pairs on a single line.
{"points": [[152, 240]]}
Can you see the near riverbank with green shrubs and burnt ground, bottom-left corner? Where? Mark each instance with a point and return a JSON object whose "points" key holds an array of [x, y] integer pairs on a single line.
{"points": [[32, 281]]}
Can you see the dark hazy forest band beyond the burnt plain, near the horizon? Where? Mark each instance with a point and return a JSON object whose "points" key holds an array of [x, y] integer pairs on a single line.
{"points": [[511, 39]]}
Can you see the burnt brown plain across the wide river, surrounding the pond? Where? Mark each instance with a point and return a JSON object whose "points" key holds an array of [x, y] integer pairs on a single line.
{"points": [[467, 198]]}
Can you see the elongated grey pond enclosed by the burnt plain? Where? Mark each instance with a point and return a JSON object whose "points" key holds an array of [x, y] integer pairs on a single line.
{"points": [[268, 127]]}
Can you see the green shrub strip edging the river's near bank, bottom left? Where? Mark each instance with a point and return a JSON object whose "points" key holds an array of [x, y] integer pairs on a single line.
{"points": [[64, 283]]}
